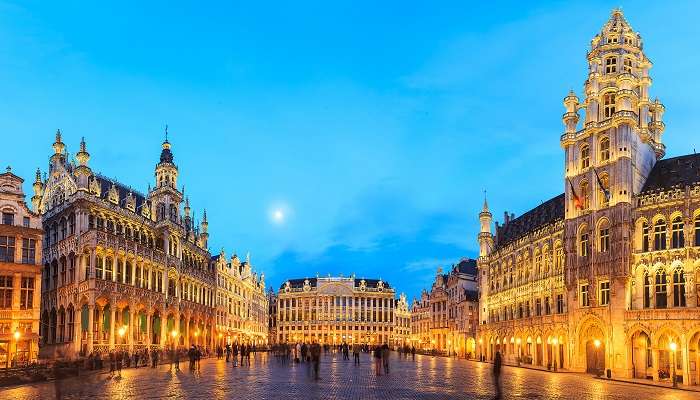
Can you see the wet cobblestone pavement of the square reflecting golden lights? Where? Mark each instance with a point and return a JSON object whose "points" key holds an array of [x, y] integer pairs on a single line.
{"points": [[425, 378]]}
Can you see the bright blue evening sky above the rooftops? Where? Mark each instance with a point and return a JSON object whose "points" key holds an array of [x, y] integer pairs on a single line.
{"points": [[374, 127]]}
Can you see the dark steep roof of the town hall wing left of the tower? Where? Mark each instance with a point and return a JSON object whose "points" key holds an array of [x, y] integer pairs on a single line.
{"points": [[546, 213]]}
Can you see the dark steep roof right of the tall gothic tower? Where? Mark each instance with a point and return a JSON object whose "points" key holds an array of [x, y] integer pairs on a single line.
{"points": [[673, 172]]}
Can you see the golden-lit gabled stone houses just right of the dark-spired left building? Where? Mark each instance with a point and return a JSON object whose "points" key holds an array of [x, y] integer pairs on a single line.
{"points": [[241, 302]]}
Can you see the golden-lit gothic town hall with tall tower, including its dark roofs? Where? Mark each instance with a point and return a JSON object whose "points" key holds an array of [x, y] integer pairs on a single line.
{"points": [[602, 277]]}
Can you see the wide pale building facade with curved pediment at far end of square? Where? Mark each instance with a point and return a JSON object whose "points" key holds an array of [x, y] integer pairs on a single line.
{"points": [[336, 310]]}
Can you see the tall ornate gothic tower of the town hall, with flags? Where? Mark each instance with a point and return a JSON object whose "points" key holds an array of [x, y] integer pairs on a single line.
{"points": [[607, 162]]}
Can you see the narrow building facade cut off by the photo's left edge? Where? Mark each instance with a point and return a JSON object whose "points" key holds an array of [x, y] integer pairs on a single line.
{"points": [[21, 236]]}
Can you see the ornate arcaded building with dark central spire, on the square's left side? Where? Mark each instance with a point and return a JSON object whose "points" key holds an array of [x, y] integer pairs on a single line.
{"points": [[122, 269]]}
